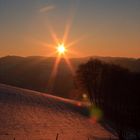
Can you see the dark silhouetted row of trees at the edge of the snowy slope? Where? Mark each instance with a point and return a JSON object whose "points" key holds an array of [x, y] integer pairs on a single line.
{"points": [[116, 91]]}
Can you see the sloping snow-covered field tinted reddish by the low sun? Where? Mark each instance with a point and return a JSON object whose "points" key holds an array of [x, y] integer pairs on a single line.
{"points": [[29, 115]]}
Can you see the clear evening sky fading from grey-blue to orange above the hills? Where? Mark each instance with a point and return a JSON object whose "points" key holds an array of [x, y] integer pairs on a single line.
{"points": [[96, 27]]}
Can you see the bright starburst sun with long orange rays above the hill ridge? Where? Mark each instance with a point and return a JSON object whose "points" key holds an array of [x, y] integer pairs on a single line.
{"points": [[61, 48]]}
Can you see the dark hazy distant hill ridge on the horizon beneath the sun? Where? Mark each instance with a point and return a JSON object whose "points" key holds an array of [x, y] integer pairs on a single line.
{"points": [[34, 72]]}
